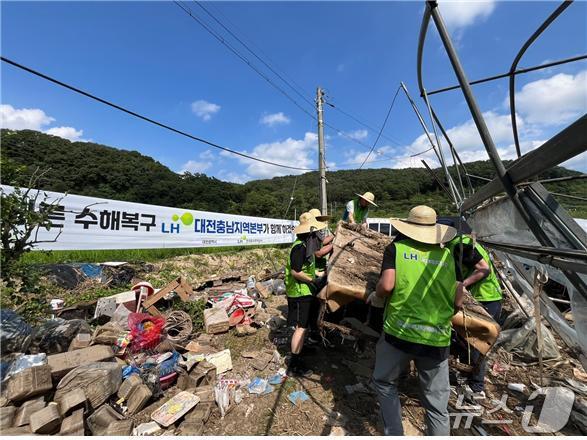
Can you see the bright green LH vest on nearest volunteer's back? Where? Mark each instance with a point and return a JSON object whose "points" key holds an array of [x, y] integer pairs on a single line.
{"points": [[422, 302]]}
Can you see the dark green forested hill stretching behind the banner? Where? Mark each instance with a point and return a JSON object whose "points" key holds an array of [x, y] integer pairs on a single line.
{"points": [[91, 169]]}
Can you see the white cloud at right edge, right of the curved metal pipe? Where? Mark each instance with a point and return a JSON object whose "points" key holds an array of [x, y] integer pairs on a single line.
{"points": [[553, 101]]}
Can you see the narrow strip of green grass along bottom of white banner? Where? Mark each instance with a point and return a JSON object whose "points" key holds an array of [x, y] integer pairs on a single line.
{"points": [[98, 256]]}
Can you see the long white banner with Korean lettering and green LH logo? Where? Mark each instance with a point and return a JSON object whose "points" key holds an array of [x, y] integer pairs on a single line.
{"points": [[90, 223]]}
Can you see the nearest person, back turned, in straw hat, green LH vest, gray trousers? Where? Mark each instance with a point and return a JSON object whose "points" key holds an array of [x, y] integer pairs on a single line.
{"points": [[418, 288]]}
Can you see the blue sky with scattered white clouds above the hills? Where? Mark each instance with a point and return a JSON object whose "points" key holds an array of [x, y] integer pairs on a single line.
{"points": [[153, 58]]}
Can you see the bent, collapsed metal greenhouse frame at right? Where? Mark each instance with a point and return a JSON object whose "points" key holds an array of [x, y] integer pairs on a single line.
{"points": [[565, 145]]}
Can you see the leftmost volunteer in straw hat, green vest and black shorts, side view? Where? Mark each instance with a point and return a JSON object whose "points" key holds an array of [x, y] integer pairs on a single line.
{"points": [[301, 285]]}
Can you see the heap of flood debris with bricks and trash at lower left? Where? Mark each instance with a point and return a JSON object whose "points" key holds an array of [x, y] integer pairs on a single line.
{"points": [[140, 366]]}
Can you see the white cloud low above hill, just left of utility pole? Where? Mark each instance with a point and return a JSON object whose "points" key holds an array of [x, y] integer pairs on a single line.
{"points": [[292, 152]]}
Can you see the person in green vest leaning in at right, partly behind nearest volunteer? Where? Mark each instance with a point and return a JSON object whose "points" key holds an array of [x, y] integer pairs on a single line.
{"points": [[485, 288]]}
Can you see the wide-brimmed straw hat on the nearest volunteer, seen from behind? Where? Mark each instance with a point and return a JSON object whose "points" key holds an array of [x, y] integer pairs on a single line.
{"points": [[421, 226]]}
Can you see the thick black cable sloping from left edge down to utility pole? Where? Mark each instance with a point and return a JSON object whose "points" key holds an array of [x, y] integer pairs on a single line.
{"points": [[145, 118]]}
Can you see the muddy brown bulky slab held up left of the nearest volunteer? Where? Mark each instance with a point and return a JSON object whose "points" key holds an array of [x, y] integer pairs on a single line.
{"points": [[355, 264]]}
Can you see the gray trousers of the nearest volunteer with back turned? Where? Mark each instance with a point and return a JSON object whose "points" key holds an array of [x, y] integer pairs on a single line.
{"points": [[390, 363]]}
